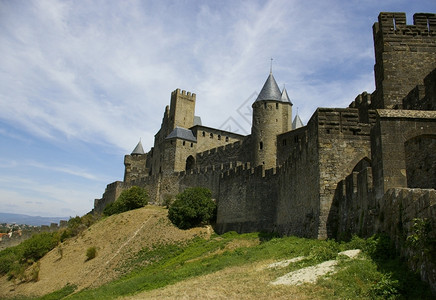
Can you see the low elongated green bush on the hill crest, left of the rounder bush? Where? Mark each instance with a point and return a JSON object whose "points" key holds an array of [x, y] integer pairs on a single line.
{"points": [[133, 198]]}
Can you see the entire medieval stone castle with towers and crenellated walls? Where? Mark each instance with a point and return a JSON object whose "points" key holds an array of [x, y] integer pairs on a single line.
{"points": [[359, 169]]}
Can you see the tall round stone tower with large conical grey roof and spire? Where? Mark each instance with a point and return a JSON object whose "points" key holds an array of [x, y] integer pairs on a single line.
{"points": [[272, 115]]}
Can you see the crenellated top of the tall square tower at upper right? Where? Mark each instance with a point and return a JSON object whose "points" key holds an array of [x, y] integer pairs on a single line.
{"points": [[424, 24]]}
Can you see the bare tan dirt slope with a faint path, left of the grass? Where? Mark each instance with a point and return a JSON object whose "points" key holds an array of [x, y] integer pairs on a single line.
{"points": [[116, 239]]}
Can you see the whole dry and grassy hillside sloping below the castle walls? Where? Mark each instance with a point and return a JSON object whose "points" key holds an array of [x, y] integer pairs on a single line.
{"points": [[140, 255]]}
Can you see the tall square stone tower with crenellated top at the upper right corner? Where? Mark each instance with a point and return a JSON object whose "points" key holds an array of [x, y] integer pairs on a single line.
{"points": [[404, 55]]}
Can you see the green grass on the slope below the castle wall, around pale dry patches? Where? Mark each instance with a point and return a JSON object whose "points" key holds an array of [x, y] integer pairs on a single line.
{"points": [[380, 274]]}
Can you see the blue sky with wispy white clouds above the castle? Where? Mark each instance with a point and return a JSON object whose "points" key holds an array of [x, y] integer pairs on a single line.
{"points": [[82, 81]]}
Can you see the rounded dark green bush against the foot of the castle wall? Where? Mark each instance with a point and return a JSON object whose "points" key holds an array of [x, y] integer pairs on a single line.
{"points": [[192, 207]]}
